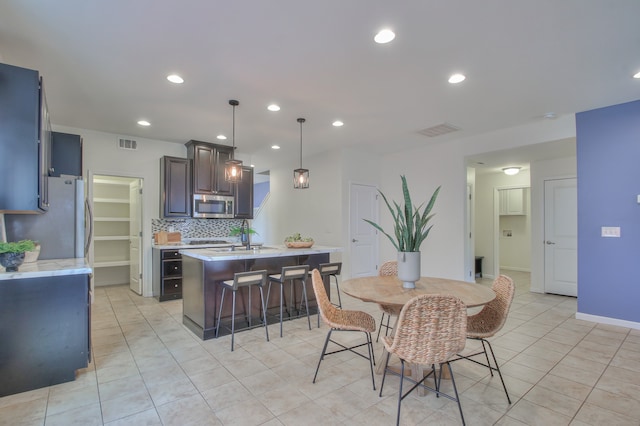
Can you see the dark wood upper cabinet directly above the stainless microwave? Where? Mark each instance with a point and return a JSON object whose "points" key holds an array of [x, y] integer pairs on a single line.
{"points": [[208, 167]]}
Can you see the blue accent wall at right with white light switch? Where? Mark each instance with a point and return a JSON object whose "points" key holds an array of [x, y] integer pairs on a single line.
{"points": [[608, 159]]}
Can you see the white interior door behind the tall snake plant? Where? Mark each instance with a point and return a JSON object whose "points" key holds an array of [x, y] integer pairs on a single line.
{"points": [[364, 239]]}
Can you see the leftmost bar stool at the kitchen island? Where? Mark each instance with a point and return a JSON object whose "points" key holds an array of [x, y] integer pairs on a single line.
{"points": [[243, 279]]}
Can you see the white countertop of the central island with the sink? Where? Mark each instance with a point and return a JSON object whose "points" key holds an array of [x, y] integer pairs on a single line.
{"points": [[212, 254]]}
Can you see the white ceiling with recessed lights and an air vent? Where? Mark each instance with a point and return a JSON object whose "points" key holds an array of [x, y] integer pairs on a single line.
{"points": [[105, 64]]}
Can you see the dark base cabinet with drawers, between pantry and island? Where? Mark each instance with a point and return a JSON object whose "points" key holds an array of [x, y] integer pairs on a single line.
{"points": [[167, 274]]}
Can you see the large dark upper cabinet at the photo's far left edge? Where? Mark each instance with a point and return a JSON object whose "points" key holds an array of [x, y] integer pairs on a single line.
{"points": [[25, 141]]}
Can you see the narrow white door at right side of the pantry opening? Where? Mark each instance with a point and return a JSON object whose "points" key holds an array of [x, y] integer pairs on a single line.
{"points": [[135, 235]]}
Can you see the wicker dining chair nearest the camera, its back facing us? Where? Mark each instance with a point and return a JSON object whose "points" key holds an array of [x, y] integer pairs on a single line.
{"points": [[431, 329]]}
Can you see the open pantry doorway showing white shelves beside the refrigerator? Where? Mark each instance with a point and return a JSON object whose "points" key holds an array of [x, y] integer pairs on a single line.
{"points": [[116, 219]]}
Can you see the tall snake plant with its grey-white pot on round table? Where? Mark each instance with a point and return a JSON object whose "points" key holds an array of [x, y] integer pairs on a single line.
{"points": [[410, 230]]}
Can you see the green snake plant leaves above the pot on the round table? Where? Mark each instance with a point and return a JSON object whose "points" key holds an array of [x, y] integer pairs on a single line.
{"points": [[410, 223]]}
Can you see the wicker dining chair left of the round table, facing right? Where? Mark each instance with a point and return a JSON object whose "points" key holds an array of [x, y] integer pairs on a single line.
{"points": [[342, 320]]}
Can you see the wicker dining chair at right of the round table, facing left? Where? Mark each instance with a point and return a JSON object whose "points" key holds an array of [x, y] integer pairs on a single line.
{"points": [[490, 321]]}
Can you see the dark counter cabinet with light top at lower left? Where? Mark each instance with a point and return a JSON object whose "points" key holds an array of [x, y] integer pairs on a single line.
{"points": [[44, 324]]}
